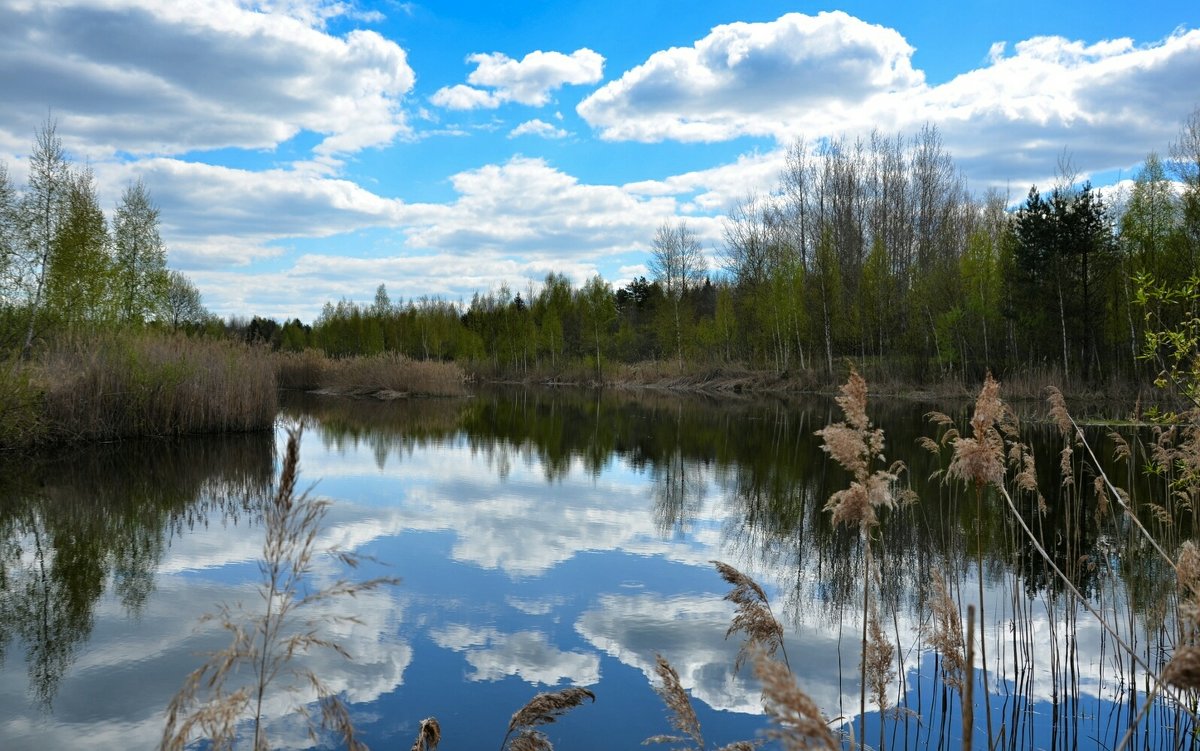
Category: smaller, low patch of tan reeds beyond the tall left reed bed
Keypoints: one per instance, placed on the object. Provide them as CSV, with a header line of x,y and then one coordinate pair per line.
x,y
387,376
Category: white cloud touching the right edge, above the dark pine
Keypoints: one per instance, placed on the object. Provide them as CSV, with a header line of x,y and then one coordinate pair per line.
x,y
1108,104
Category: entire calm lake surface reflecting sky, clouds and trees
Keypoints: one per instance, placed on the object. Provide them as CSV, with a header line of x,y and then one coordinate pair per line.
x,y
553,538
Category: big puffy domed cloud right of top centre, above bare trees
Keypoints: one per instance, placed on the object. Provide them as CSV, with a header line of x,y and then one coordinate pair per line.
x,y
754,80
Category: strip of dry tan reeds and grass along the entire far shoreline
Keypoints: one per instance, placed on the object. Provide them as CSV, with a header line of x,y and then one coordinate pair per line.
x,y
148,383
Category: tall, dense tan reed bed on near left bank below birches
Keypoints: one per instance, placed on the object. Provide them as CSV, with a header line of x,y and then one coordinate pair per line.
x,y
118,386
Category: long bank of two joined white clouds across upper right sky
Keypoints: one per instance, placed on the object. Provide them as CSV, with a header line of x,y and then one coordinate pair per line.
x,y
835,75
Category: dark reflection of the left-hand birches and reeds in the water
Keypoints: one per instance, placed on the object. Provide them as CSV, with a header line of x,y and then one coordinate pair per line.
x,y
100,519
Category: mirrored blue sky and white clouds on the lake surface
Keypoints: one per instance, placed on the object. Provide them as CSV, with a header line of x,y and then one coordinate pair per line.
x,y
512,586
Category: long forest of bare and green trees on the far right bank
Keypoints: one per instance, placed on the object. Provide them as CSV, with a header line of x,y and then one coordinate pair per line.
x,y
873,250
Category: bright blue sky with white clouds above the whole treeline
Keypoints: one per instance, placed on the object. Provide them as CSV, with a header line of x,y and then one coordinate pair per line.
x,y
308,151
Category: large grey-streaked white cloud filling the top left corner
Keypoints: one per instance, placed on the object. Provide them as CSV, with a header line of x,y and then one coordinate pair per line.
x,y
148,77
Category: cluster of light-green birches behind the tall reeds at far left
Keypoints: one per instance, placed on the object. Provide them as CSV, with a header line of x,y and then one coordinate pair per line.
x,y
65,267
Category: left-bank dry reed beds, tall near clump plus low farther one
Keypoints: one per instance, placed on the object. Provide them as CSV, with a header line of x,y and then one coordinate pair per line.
x,y
117,386
